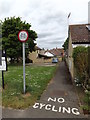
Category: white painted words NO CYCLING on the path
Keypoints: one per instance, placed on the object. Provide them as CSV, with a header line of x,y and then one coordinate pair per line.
x,y
57,109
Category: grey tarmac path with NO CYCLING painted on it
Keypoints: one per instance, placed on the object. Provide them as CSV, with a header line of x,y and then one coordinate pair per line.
x,y
59,96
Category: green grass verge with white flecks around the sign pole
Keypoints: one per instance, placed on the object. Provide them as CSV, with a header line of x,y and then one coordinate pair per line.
x,y
37,79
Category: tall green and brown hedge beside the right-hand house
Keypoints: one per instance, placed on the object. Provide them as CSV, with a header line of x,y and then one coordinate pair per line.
x,y
80,55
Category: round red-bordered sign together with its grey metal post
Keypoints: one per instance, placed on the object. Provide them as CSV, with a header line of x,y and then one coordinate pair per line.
x,y
23,37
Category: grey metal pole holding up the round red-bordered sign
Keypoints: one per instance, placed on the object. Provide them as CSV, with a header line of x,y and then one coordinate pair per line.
x,y
24,68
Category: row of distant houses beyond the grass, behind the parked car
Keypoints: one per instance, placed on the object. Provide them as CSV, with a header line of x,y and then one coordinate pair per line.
x,y
43,56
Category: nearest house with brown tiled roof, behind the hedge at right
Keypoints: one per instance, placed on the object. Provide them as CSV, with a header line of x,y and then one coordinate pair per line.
x,y
79,35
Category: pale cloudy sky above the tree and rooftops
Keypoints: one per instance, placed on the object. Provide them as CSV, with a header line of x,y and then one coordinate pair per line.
x,y
49,18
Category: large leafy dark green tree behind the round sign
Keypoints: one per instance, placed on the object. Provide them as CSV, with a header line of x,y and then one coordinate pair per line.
x,y
10,29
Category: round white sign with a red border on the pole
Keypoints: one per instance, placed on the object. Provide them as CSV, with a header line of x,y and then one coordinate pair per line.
x,y
23,36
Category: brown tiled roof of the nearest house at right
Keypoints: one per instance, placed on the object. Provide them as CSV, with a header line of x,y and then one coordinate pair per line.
x,y
80,34
